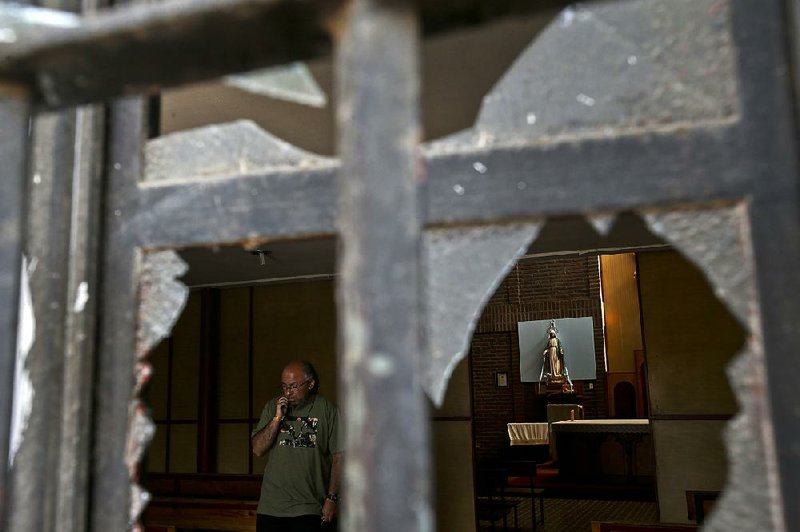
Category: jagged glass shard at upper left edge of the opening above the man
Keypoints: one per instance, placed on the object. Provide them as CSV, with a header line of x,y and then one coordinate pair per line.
x,y
162,298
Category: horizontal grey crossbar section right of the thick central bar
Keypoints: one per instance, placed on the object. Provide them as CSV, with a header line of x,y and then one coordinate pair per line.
x,y
593,174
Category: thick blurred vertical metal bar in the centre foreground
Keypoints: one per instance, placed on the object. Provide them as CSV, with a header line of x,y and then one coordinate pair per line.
x,y
387,472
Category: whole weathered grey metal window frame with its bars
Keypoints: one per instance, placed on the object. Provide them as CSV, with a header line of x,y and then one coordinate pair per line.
x,y
753,159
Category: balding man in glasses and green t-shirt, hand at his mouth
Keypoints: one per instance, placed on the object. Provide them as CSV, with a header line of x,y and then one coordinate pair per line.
x,y
299,428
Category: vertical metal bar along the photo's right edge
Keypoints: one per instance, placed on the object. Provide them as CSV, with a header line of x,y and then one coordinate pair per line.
x,y
771,133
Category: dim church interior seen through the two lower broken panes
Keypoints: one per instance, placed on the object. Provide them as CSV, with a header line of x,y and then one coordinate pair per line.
x,y
661,345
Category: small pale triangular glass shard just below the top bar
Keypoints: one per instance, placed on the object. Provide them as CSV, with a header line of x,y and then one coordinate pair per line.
x,y
292,82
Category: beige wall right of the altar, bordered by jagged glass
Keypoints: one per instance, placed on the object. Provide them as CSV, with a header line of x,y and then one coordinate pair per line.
x,y
690,338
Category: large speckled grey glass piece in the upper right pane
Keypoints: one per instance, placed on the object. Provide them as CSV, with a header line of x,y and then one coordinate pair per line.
x,y
607,68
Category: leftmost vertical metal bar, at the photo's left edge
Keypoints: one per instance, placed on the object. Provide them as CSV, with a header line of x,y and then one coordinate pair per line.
x,y
13,163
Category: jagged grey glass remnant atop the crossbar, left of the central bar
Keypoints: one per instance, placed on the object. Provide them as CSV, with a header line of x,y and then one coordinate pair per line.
x,y
237,147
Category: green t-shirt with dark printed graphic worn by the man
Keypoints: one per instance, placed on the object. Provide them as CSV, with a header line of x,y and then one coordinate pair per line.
x,y
299,463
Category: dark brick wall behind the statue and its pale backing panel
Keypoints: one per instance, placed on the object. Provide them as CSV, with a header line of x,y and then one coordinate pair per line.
x,y
536,289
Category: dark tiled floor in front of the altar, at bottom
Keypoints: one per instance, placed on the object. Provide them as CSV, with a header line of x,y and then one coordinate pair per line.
x,y
575,515
